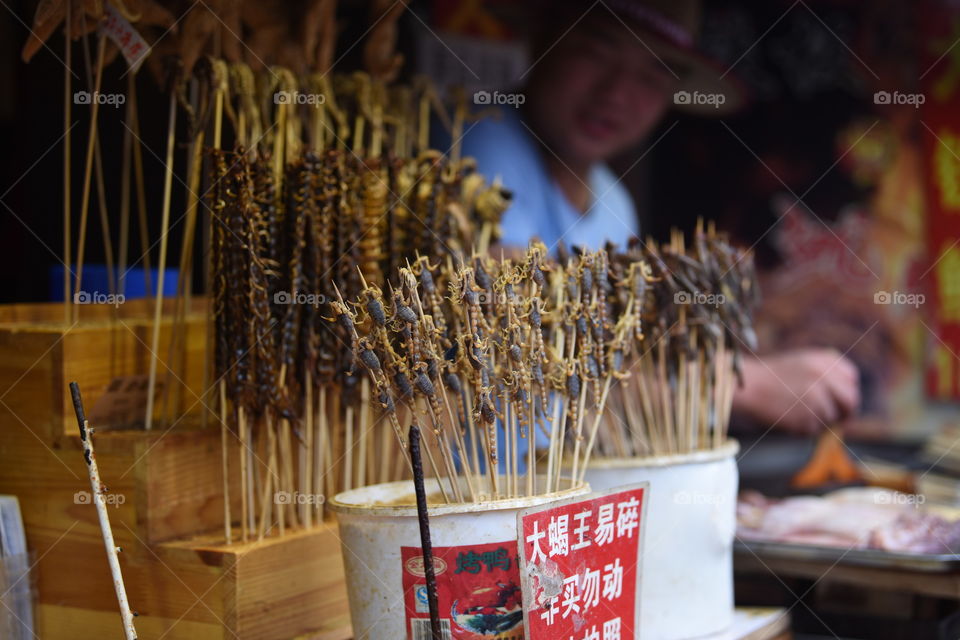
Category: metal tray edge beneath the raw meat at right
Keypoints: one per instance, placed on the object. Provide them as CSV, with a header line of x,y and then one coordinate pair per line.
x,y
929,563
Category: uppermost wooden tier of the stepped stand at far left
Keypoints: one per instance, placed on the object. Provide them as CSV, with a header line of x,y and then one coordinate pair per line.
x,y
40,354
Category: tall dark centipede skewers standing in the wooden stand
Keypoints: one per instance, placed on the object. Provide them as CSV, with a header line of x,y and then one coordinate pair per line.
x,y
301,224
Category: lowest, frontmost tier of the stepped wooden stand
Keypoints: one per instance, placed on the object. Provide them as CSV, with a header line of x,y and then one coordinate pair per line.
x,y
278,589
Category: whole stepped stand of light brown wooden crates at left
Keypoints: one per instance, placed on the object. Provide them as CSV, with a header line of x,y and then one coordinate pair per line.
x,y
167,511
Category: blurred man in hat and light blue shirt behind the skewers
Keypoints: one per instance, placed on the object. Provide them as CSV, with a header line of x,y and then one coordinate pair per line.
x,y
602,79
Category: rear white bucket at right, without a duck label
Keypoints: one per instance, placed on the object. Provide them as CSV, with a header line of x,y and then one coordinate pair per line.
x,y
686,589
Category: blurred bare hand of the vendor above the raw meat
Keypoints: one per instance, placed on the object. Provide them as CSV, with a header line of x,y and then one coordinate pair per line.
x,y
799,391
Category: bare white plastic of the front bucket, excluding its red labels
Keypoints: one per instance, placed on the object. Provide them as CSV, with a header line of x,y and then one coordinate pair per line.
x,y
376,521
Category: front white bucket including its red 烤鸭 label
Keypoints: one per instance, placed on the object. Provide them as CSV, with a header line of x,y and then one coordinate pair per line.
x,y
380,535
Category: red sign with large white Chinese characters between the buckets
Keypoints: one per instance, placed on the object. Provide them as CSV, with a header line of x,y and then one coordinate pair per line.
x,y
580,567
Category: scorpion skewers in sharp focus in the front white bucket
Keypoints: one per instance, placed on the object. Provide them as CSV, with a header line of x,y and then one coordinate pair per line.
x,y
484,354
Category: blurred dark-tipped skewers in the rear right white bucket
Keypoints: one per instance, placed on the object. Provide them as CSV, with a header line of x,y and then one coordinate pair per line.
x,y
698,305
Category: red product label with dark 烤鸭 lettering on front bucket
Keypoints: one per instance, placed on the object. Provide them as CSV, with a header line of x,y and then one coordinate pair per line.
x,y
478,592
